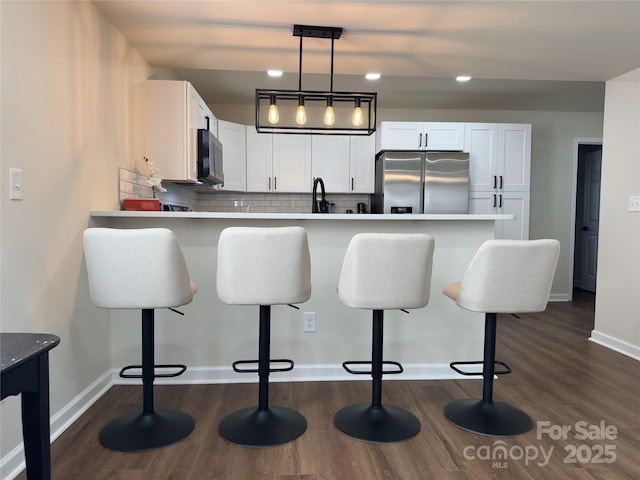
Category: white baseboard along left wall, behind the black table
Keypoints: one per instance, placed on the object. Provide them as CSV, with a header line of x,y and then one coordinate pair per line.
x,y
13,463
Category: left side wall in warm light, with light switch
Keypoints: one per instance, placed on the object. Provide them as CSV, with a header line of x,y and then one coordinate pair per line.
x,y
67,122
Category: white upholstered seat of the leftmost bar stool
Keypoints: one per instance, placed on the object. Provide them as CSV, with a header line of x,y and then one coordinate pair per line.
x,y
136,268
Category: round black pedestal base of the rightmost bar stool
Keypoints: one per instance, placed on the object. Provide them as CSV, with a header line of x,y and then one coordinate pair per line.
x,y
495,419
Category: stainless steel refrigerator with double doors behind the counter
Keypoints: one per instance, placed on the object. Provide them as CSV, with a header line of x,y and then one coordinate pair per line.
x,y
421,182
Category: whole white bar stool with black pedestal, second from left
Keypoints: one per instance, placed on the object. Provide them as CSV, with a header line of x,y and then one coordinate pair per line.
x,y
263,266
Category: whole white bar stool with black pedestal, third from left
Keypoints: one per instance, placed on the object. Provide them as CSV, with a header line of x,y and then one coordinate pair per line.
x,y
383,271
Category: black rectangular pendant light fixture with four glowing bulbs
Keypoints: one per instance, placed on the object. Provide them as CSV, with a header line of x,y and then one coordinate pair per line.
x,y
315,112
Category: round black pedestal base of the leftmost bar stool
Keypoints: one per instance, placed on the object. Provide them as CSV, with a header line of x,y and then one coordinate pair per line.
x,y
136,431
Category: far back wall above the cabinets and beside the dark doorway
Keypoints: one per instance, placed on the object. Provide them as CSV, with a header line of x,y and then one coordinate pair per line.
x,y
551,164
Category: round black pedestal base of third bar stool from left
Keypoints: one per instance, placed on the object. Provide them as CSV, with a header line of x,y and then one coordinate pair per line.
x,y
381,425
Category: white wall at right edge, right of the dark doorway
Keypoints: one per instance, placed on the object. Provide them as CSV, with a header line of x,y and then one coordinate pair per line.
x,y
617,322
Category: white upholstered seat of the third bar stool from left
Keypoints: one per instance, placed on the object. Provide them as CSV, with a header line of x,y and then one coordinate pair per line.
x,y
386,271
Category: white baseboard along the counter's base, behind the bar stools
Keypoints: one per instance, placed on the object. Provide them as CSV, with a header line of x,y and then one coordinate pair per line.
x,y
301,373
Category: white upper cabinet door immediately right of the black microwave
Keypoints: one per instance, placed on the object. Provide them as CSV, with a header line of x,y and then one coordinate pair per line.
x,y
233,139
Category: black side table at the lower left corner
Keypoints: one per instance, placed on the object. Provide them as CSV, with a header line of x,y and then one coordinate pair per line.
x,y
25,369
